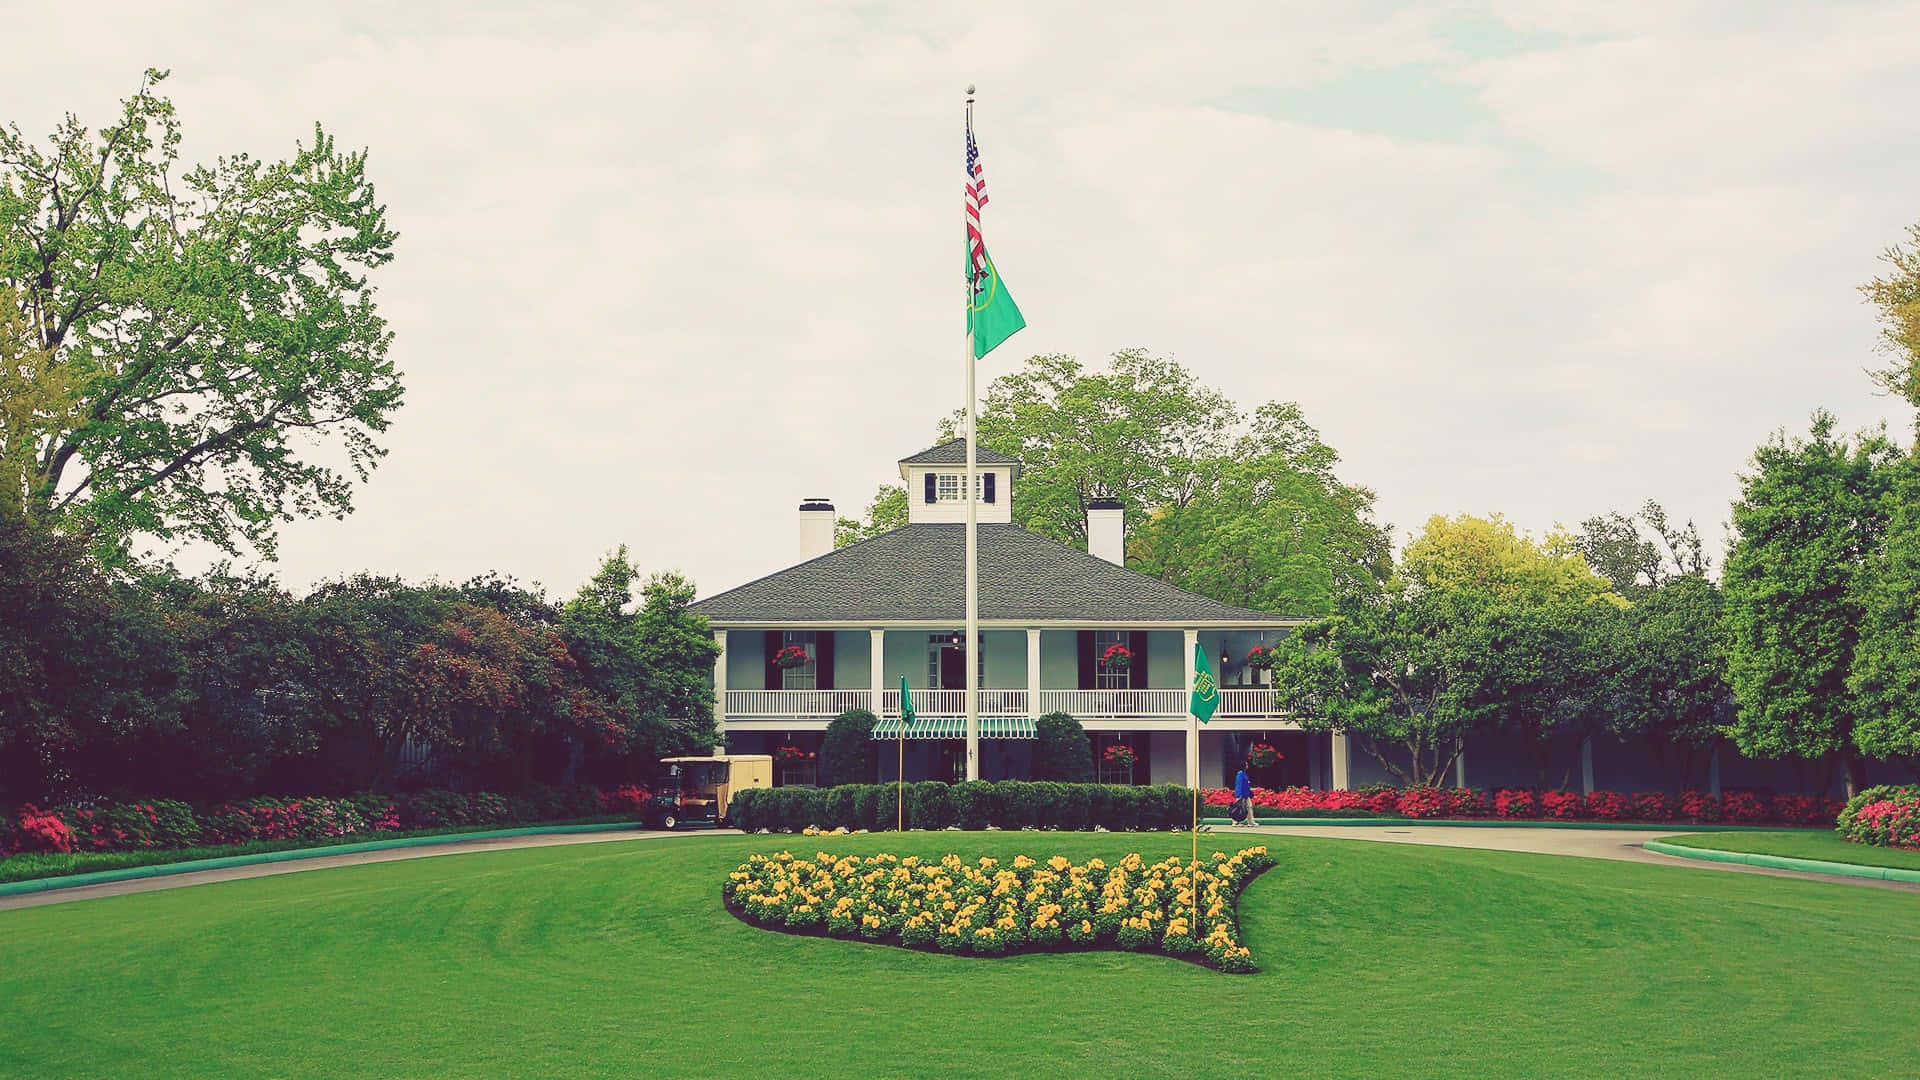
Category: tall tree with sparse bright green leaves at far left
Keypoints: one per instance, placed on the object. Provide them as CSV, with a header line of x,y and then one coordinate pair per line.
x,y
204,324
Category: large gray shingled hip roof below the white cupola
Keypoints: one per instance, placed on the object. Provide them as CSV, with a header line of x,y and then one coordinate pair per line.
x,y
917,574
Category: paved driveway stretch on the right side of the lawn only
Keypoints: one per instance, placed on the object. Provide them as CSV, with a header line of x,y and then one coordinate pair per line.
x,y
1621,845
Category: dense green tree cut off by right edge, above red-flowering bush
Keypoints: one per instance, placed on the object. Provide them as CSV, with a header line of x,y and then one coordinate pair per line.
x,y
1883,677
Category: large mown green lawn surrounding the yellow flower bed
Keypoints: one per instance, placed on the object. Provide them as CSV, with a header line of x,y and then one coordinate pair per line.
x,y
617,958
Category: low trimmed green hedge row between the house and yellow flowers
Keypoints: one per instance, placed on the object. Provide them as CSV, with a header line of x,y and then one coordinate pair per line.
x,y
976,804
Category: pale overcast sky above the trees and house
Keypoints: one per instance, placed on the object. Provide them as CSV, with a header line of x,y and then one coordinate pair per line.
x,y
667,270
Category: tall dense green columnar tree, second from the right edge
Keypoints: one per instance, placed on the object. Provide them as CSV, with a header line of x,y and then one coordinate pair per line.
x,y
1808,522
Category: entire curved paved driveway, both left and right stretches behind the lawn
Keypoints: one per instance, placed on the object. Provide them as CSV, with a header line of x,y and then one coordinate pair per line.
x,y
1621,845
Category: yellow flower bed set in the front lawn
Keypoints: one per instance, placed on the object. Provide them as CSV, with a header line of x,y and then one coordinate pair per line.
x,y
988,908
